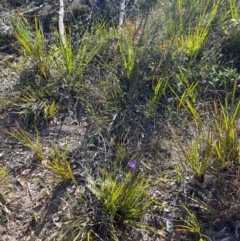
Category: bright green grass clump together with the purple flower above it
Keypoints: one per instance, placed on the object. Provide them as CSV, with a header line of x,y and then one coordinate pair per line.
x,y
123,196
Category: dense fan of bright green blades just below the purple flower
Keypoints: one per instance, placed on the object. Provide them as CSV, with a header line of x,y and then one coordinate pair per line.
x,y
124,198
